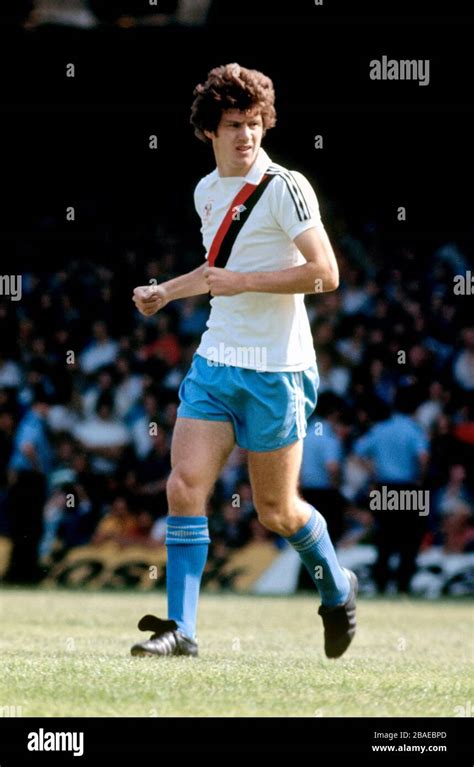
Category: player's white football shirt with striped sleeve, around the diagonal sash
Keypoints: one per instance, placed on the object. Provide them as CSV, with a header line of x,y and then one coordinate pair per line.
x,y
261,331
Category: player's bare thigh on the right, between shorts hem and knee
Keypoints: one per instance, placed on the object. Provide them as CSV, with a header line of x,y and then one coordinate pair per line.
x,y
274,475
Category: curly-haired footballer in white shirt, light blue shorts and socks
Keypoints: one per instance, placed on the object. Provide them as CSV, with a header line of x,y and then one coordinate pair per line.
x,y
266,247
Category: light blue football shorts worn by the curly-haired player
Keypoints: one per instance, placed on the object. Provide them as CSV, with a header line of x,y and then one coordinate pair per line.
x,y
267,410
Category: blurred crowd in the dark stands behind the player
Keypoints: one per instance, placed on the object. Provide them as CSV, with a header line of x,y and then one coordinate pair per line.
x,y
89,393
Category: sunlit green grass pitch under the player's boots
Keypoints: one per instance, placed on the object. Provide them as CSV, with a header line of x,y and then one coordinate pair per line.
x,y
66,653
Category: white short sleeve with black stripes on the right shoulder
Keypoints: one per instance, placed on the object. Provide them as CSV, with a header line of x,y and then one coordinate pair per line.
x,y
294,203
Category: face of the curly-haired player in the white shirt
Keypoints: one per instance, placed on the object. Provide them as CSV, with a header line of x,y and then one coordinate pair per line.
x,y
237,140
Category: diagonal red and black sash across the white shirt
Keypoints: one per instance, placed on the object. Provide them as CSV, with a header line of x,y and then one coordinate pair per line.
x,y
234,220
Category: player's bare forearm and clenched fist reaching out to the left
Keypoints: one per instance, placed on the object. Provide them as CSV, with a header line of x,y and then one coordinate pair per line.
x,y
150,298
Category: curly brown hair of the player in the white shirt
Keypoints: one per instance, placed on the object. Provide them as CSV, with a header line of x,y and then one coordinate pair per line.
x,y
231,87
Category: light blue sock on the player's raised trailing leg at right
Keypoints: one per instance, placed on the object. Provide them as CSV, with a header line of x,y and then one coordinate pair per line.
x,y
314,546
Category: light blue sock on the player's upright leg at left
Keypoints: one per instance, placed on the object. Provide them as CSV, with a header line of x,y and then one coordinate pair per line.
x,y
187,542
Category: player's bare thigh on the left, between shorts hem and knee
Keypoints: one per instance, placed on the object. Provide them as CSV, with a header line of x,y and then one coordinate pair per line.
x,y
200,448
